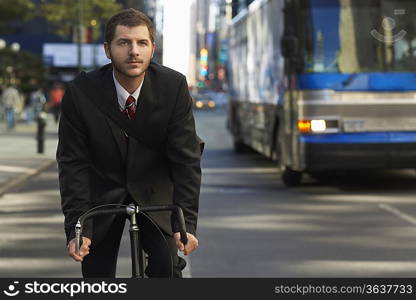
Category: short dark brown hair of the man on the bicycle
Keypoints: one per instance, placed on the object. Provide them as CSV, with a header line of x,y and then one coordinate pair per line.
x,y
128,17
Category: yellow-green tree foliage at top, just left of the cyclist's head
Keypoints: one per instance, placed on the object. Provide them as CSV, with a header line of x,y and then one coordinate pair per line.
x,y
62,15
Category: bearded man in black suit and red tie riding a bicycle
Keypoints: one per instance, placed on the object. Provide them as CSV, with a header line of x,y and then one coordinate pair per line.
x,y
100,163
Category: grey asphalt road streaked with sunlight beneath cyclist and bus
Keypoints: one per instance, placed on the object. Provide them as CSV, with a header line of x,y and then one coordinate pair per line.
x,y
361,224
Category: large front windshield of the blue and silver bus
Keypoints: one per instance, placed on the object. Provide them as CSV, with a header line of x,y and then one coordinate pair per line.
x,y
356,36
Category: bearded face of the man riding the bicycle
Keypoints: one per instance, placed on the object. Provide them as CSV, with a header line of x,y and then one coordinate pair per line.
x,y
130,50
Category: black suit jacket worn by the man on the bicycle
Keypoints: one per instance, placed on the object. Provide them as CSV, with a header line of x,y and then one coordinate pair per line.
x,y
97,165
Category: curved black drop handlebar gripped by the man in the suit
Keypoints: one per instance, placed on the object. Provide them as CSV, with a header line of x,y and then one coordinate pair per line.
x,y
129,210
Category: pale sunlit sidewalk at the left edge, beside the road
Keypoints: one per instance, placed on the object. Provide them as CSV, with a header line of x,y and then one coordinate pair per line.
x,y
19,159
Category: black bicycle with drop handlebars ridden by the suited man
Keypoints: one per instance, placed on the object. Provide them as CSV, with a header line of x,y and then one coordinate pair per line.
x,y
132,210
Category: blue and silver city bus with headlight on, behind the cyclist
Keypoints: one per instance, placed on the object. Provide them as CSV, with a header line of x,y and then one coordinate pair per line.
x,y
323,85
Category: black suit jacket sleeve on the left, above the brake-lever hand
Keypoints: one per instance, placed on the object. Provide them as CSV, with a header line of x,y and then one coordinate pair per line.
x,y
73,166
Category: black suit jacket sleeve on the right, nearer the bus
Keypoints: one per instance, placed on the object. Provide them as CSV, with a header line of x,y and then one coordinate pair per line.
x,y
184,154
